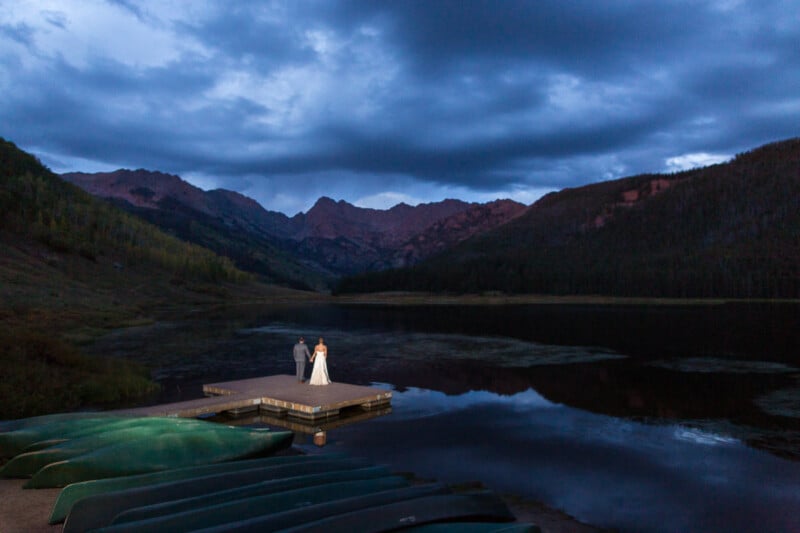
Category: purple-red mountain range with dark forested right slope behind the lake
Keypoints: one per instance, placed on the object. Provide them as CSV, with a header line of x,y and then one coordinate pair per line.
x,y
727,230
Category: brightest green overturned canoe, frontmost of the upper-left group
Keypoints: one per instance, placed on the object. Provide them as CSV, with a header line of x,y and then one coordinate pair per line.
x,y
172,450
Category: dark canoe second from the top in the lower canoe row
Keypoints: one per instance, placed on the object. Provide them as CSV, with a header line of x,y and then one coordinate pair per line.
x,y
99,510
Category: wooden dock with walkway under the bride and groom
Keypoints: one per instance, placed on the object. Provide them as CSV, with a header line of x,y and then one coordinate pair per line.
x,y
279,395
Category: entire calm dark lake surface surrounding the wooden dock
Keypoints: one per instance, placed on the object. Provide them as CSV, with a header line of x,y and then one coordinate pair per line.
x,y
636,418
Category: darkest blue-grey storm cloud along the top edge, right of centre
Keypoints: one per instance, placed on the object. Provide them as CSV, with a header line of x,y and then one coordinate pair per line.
x,y
597,38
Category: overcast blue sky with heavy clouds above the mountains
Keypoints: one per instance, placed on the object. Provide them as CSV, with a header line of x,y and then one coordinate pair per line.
x,y
378,102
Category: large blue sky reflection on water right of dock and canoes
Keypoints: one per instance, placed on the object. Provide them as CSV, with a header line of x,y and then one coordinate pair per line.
x,y
604,470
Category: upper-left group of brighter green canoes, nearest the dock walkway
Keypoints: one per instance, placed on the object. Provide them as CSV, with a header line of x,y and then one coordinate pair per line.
x,y
55,452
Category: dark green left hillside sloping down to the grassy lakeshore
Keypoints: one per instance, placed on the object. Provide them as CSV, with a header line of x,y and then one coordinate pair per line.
x,y
71,268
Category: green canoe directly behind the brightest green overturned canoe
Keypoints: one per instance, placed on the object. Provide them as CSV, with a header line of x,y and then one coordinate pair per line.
x,y
27,464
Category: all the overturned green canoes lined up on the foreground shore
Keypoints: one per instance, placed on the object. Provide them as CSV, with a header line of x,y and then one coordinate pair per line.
x,y
154,474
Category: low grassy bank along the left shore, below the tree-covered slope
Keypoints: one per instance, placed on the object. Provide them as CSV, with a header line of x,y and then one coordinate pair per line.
x,y
52,305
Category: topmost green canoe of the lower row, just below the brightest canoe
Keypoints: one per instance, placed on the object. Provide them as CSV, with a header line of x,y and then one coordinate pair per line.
x,y
77,491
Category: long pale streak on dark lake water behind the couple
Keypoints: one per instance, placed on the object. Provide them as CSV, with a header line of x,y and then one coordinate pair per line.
x,y
500,351
